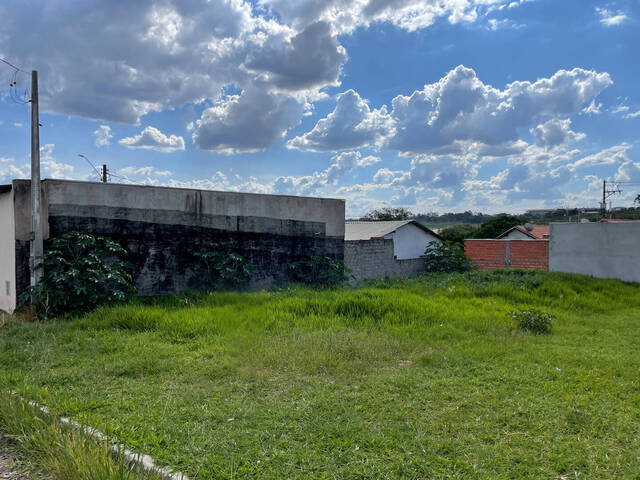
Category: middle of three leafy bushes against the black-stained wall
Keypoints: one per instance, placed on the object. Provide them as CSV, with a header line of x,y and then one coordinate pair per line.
x,y
222,270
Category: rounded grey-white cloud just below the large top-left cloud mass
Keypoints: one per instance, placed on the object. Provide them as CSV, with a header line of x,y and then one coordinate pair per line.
x,y
249,122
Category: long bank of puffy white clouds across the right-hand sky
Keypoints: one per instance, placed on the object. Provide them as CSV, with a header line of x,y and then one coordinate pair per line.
x,y
457,114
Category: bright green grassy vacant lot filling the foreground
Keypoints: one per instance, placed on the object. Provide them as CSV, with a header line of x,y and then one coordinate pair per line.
x,y
423,378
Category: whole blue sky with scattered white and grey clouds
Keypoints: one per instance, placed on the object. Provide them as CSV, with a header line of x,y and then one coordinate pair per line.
x,y
431,105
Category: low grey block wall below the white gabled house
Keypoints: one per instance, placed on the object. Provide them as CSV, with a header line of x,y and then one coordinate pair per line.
x,y
375,259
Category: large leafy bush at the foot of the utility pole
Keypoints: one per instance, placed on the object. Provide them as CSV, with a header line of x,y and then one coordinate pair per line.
x,y
80,273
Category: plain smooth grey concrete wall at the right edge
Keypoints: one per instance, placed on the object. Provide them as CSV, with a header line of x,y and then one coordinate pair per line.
x,y
604,250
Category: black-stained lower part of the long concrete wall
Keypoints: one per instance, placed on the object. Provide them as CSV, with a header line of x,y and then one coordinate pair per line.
x,y
162,253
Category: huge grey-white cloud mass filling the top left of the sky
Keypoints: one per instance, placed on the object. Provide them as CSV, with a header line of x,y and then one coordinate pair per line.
x,y
120,62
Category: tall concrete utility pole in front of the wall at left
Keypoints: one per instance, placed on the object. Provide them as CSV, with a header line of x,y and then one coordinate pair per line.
x,y
37,249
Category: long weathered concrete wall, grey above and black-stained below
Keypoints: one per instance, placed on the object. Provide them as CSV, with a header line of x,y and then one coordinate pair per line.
x,y
161,228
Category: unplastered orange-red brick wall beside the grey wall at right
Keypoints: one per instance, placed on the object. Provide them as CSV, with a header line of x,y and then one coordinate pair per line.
x,y
496,254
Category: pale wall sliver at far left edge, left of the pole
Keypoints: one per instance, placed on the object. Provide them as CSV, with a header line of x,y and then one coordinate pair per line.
x,y
7,253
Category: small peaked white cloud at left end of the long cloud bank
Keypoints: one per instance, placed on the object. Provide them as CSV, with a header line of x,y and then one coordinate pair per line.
x,y
351,124
